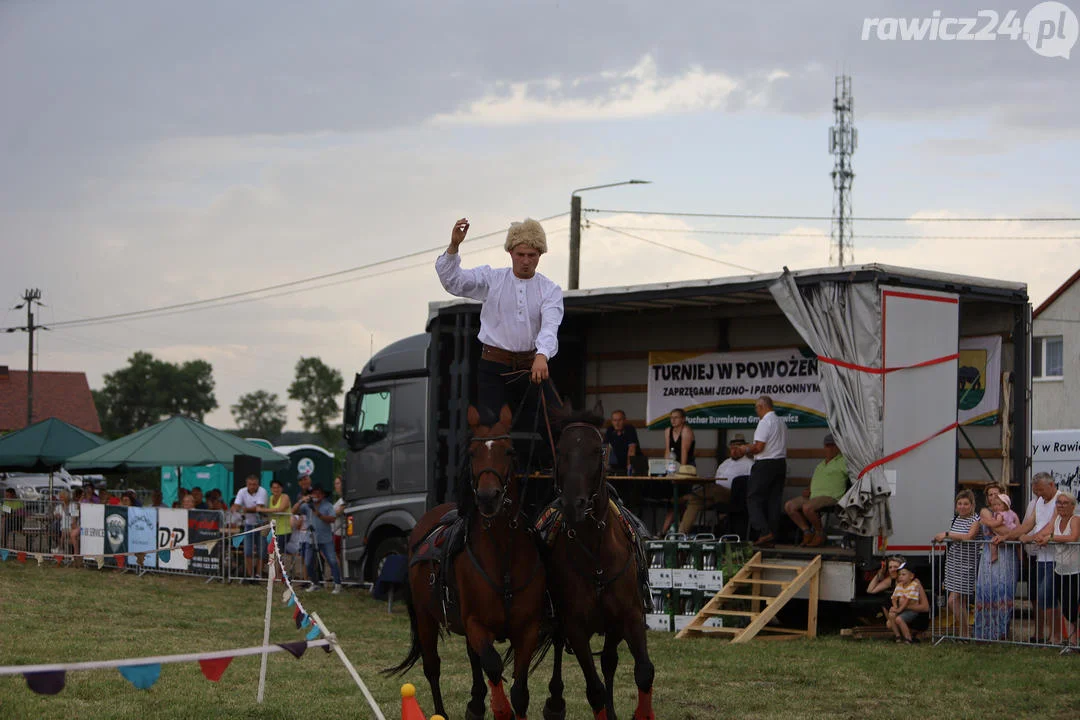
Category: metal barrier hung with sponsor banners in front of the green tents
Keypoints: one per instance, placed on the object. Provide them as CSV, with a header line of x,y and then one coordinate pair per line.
x,y
161,540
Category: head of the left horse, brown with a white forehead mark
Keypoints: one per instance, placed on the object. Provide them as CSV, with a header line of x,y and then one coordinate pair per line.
x,y
492,463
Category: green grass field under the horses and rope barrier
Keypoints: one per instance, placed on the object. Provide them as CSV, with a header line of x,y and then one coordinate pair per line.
x,y
52,615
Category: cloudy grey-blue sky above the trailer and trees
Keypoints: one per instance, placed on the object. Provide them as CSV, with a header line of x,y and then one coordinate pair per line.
x,y
157,154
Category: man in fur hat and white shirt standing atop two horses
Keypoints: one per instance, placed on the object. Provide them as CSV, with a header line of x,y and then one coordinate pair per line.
x,y
519,322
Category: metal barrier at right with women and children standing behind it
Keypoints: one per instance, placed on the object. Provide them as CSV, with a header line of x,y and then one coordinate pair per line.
x,y
1012,593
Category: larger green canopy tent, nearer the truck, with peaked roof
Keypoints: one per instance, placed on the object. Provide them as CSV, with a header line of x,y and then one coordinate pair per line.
x,y
175,442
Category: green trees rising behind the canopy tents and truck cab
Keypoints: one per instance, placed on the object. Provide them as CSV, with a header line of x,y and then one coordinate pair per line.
x,y
150,390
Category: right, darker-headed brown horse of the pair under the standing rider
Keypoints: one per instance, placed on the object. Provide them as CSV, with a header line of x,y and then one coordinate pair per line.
x,y
593,570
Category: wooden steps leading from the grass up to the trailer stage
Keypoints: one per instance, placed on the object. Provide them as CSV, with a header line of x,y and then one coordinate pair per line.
x,y
750,595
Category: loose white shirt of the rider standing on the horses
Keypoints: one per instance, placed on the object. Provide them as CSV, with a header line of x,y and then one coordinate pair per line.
x,y
518,316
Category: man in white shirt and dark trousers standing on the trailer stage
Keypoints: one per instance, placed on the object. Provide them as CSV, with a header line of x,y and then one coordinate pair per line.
x,y
766,491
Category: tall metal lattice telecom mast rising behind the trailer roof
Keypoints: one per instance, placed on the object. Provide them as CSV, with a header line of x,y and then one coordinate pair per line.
x,y
843,141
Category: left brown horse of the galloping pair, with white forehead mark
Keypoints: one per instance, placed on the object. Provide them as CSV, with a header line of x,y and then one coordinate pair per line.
x,y
499,581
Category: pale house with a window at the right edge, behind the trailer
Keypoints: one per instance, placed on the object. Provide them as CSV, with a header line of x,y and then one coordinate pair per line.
x,y
1056,359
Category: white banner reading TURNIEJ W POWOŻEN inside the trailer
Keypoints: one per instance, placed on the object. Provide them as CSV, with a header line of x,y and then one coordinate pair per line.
x,y
719,390
